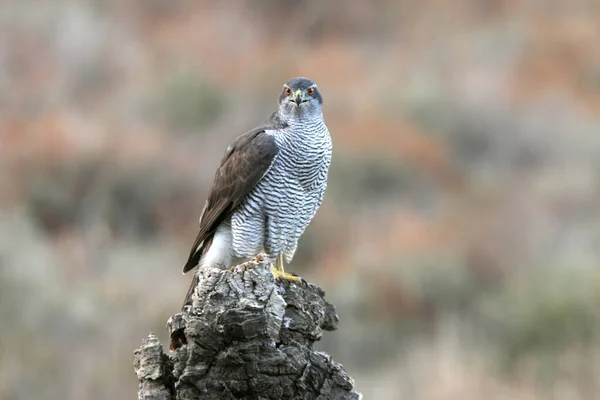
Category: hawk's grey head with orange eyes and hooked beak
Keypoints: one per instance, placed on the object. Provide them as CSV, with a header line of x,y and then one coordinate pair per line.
x,y
300,98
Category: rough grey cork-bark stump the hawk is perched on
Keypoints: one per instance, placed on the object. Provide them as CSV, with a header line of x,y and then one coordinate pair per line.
x,y
245,337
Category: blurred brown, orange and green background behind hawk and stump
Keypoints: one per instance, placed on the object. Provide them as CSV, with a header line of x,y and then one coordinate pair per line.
x,y
460,234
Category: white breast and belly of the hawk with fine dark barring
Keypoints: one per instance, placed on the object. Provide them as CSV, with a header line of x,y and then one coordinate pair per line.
x,y
283,203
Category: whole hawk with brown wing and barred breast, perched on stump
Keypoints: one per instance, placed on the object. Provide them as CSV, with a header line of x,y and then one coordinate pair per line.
x,y
267,188
